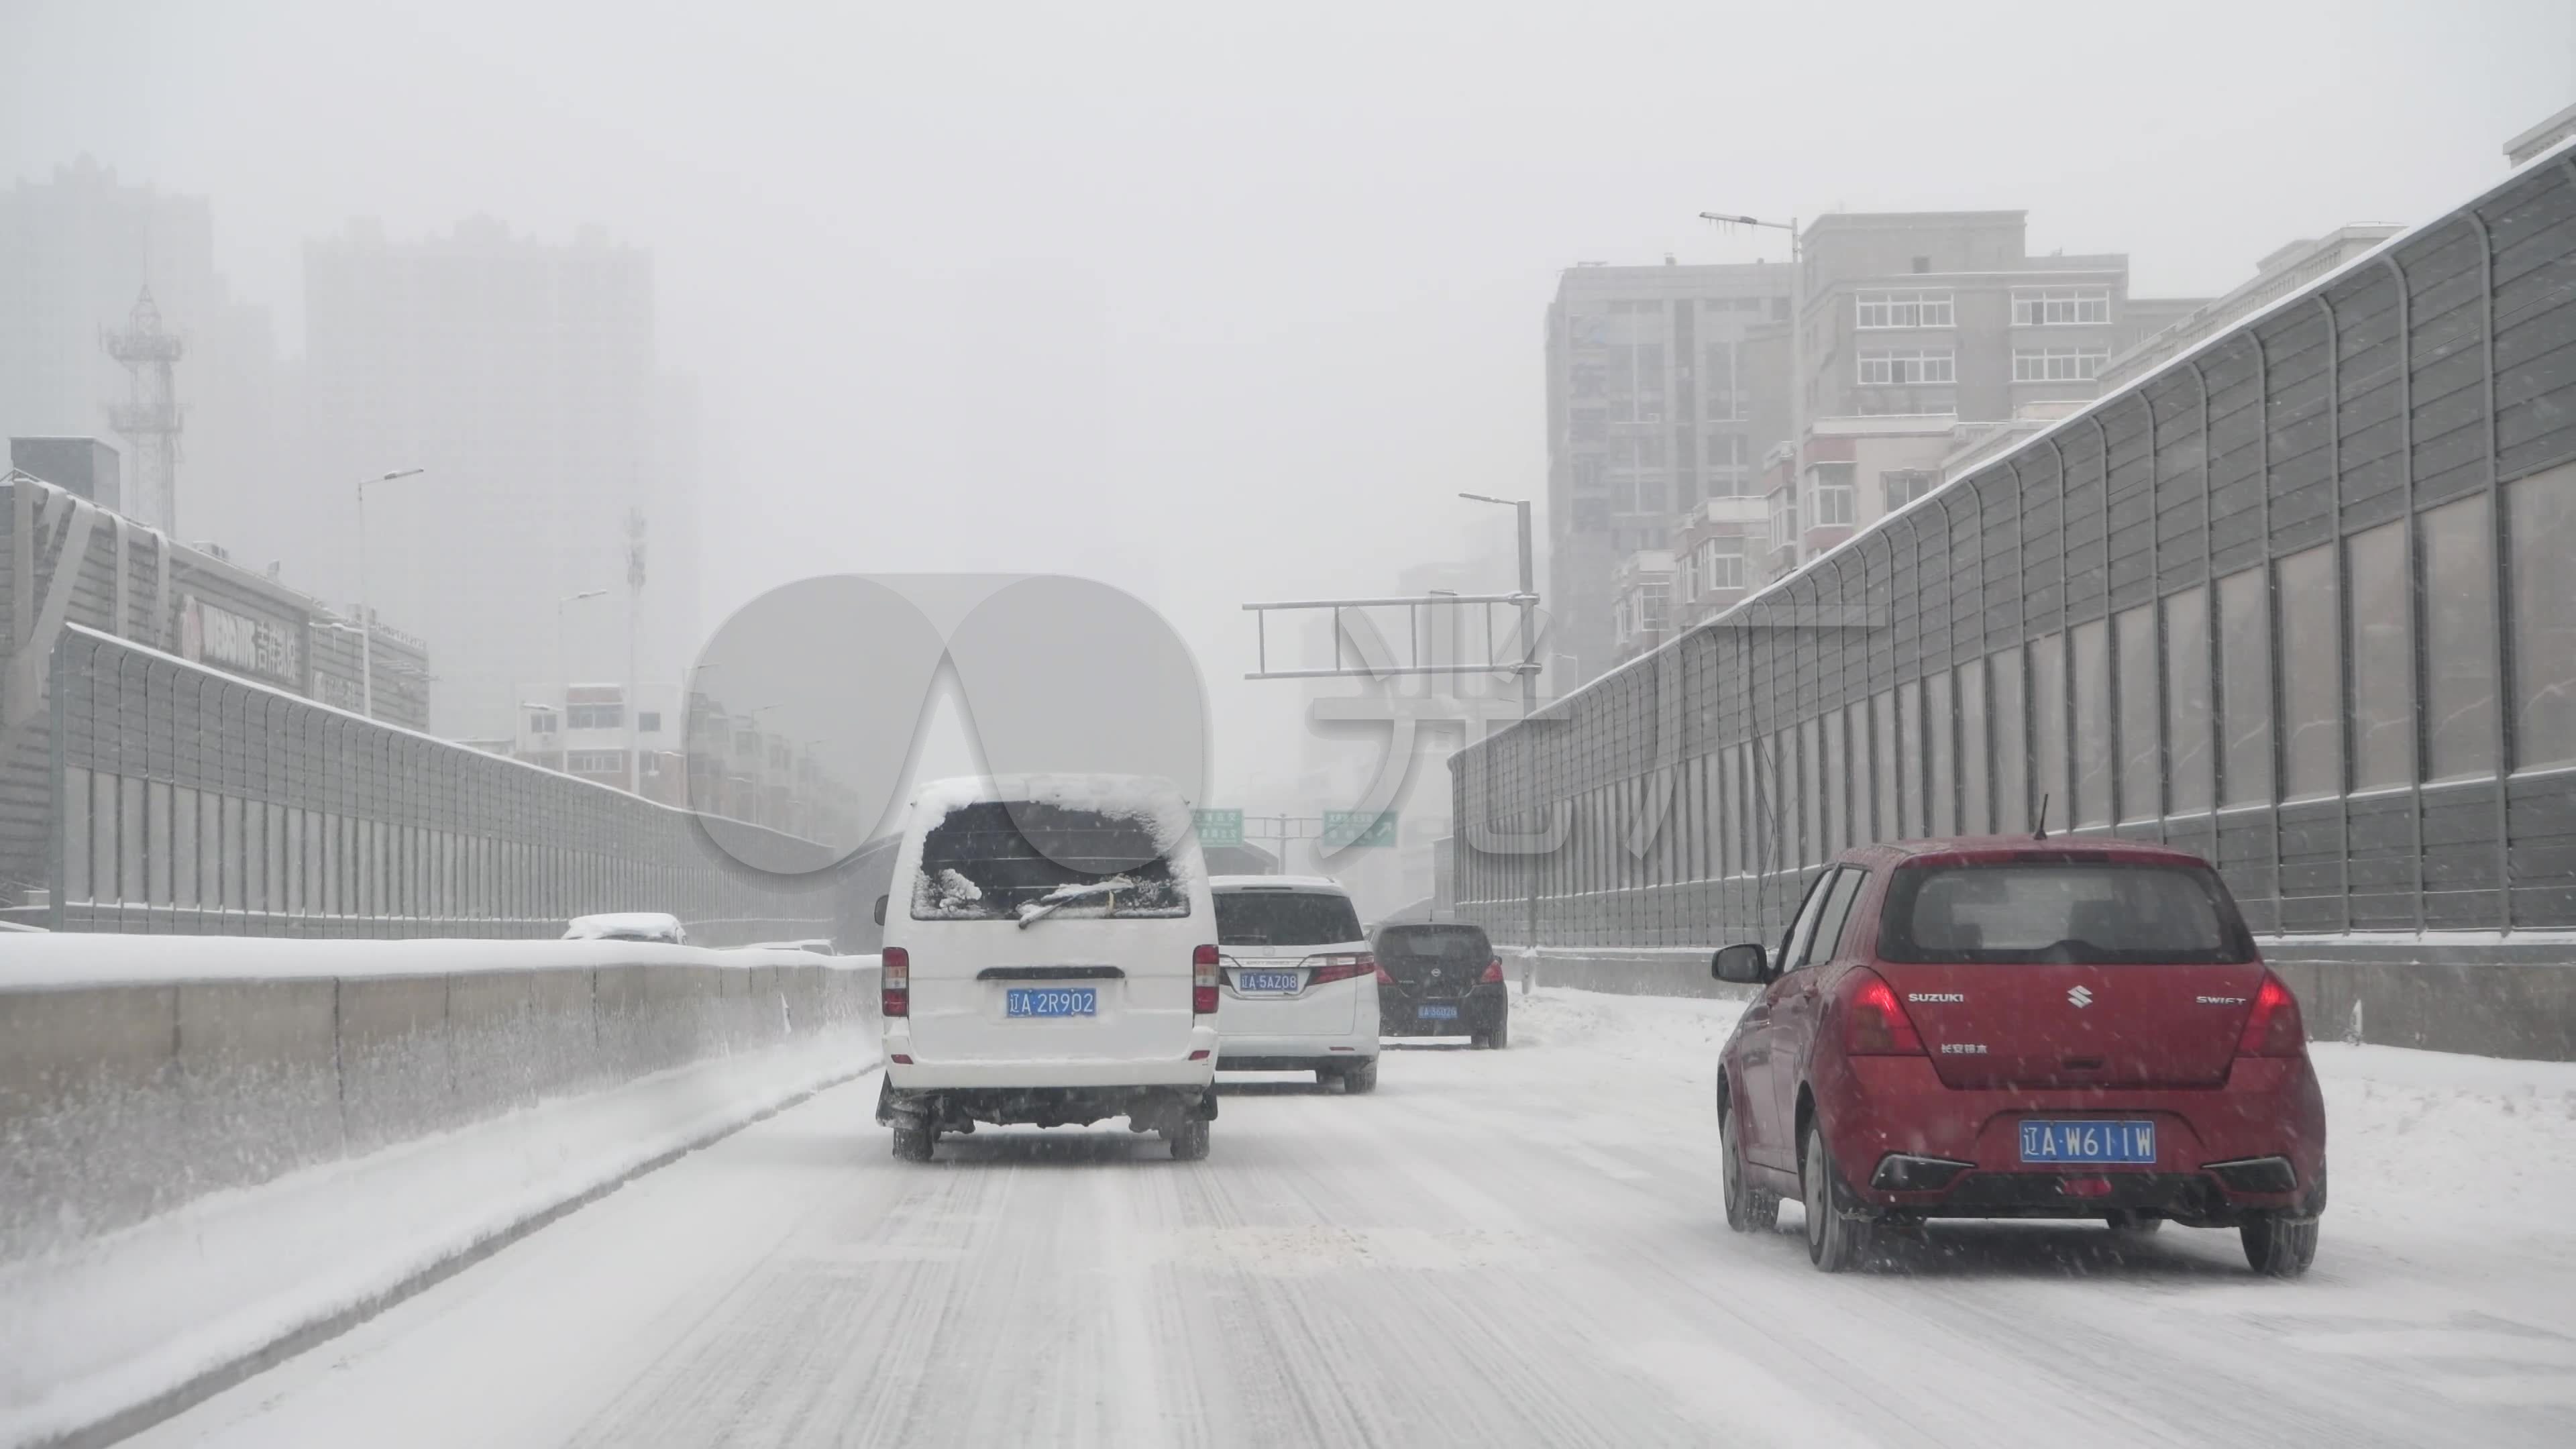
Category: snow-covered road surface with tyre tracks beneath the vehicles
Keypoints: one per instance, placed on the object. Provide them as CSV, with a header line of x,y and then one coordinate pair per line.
x,y
1495,1249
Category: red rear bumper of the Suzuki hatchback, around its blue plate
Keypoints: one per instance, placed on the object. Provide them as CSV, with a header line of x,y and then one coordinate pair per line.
x,y
1908,1143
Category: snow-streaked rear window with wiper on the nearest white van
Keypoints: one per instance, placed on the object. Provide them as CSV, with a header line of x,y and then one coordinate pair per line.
x,y
985,862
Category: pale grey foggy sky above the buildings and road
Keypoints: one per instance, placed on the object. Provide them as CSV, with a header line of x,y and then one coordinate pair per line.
x,y
1225,303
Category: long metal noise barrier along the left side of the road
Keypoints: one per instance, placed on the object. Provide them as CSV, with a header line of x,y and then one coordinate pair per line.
x,y
184,801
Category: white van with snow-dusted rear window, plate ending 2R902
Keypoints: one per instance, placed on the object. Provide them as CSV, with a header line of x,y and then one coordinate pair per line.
x,y
1052,960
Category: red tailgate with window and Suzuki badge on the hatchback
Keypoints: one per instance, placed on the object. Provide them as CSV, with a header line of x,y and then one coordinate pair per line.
x,y
2065,973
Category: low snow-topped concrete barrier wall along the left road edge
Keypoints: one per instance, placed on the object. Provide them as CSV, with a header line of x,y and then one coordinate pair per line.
x,y
133,1082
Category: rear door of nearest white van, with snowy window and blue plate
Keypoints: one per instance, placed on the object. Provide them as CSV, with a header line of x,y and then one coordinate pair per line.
x,y
1050,935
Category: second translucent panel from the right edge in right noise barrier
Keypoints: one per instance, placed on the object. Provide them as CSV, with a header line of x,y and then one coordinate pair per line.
x,y
2461,638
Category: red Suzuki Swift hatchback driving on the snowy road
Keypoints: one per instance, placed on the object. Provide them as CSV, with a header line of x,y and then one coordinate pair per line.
x,y
2018,1027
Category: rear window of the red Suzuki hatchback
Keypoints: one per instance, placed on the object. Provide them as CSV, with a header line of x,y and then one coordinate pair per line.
x,y
2065,914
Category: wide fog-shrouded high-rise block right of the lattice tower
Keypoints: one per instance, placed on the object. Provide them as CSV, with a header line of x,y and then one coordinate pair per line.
x,y
524,380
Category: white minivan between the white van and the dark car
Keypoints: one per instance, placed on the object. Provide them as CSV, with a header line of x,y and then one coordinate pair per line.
x,y
1302,984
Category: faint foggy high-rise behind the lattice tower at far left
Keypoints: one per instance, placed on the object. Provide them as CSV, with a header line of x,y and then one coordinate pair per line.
x,y
76,257
